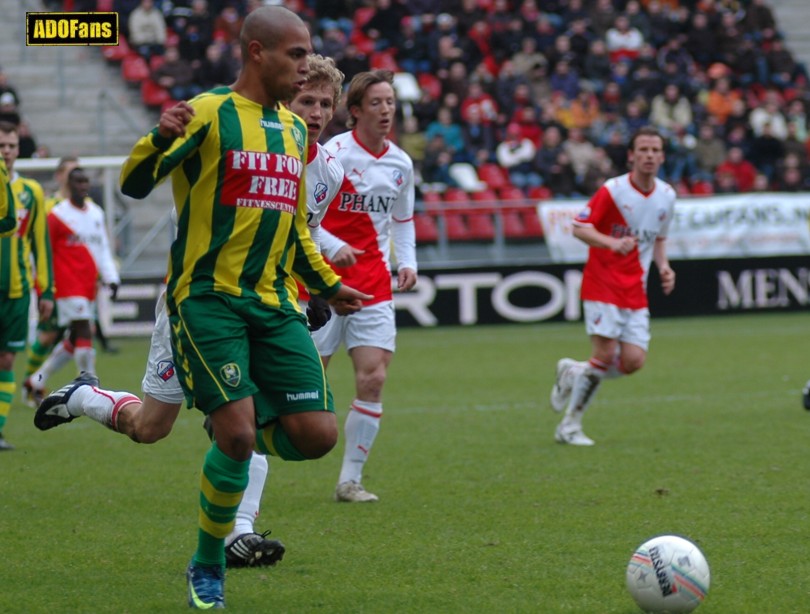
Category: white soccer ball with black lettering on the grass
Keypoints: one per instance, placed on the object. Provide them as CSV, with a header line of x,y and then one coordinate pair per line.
x,y
668,575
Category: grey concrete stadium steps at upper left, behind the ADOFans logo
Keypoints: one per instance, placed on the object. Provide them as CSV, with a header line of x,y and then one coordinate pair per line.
x,y
77,104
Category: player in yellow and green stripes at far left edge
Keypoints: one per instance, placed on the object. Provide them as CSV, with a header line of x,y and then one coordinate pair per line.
x,y
17,279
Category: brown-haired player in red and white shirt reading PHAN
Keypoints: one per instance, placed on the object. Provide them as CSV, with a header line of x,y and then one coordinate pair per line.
x,y
375,207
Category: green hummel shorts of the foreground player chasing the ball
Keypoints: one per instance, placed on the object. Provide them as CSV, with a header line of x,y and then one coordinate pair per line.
x,y
228,348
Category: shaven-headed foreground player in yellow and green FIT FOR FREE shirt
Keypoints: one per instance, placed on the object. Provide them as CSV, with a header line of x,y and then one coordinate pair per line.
x,y
236,157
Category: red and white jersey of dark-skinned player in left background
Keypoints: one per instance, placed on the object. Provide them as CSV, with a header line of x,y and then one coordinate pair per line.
x,y
81,250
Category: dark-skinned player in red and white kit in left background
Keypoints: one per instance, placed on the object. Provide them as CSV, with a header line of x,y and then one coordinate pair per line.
x,y
81,256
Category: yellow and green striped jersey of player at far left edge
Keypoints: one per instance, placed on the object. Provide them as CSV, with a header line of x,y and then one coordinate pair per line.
x,y
16,274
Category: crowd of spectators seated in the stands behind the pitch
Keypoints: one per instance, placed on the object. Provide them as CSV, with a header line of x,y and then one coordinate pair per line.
x,y
548,90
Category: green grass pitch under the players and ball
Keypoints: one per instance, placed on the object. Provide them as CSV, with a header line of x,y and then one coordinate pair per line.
x,y
480,510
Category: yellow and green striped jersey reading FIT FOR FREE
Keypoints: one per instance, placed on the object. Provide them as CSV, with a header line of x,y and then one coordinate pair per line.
x,y
238,186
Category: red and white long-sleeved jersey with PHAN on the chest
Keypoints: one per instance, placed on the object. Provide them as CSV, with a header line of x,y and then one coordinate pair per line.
x,y
374,207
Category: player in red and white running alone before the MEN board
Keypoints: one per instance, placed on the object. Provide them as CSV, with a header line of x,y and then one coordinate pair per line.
x,y
625,224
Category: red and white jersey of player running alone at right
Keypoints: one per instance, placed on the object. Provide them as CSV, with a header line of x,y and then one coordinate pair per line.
x,y
619,209
